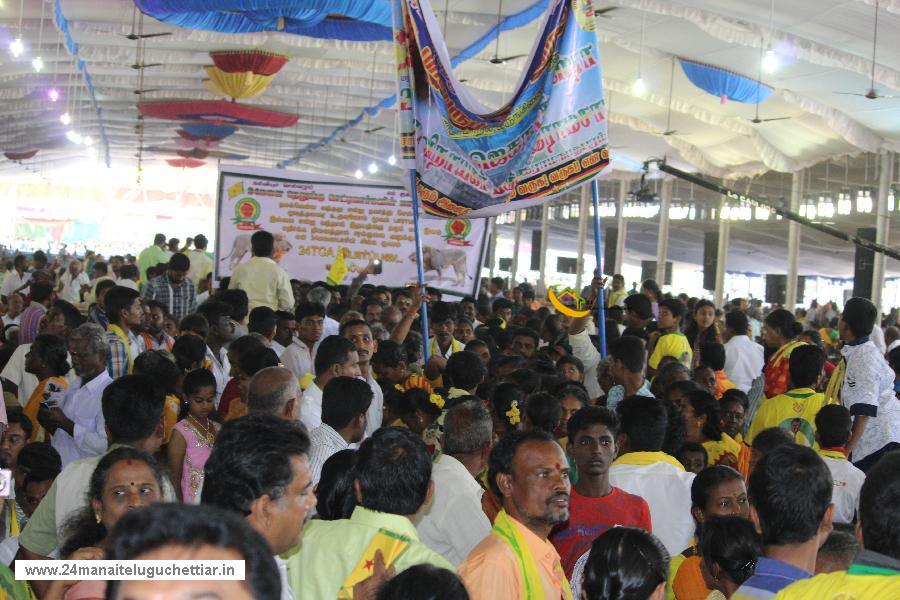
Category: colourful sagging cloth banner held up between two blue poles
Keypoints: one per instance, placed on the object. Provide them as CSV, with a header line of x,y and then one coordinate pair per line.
x,y
549,138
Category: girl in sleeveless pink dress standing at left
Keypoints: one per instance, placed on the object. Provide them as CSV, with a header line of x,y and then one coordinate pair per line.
x,y
193,437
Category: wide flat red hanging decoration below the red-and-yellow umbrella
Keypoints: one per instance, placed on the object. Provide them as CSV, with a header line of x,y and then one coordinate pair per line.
x,y
218,112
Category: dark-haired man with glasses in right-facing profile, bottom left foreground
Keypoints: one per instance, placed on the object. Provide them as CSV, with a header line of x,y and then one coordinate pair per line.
x,y
245,474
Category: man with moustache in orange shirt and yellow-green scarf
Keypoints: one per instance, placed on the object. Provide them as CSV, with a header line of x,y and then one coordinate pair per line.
x,y
529,473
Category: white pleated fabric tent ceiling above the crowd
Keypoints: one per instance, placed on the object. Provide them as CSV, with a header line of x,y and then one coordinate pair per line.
x,y
826,47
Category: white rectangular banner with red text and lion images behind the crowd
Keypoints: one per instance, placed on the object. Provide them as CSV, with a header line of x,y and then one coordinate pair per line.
x,y
313,218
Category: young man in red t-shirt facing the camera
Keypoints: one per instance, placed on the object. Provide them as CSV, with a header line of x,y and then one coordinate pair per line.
x,y
595,505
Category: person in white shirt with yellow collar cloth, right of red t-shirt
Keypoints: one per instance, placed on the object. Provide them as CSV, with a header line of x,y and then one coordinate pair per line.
x,y
644,470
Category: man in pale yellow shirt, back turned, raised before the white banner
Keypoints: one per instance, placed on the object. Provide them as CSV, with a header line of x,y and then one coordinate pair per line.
x,y
265,282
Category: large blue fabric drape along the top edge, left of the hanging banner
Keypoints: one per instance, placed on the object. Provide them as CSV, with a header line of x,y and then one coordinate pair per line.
x,y
356,20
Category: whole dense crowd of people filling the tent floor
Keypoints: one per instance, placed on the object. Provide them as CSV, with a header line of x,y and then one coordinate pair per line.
x,y
696,452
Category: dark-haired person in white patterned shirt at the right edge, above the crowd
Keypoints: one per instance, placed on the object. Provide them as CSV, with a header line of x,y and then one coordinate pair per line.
x,y
868,387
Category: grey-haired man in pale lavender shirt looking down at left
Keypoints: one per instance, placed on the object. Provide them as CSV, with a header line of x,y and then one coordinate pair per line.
x,y
77,424
